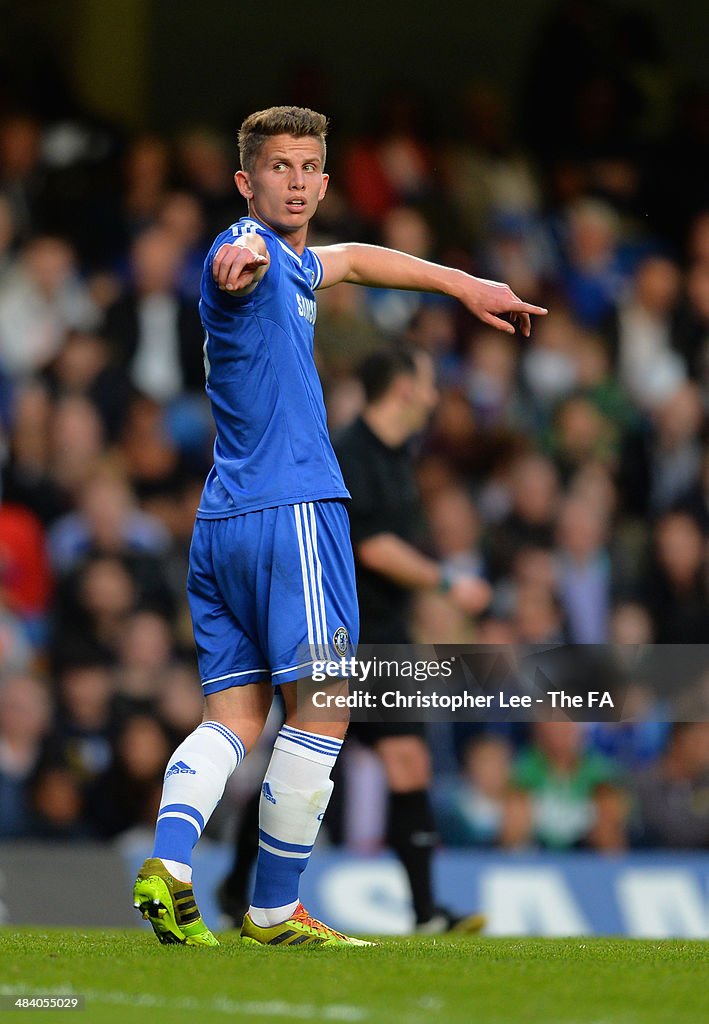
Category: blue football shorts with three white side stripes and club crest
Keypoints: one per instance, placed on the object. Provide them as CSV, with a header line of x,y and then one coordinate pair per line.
x,y
271,592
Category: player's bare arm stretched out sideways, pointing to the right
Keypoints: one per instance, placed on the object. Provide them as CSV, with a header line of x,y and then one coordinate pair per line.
x,y
376,267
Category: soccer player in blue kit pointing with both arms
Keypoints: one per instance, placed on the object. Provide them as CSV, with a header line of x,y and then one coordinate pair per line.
x,y
271,567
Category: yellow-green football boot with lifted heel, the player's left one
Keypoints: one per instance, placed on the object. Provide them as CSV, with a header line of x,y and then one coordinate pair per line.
x,y
171,907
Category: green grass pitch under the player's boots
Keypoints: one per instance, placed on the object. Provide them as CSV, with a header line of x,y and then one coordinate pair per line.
x,y
128,977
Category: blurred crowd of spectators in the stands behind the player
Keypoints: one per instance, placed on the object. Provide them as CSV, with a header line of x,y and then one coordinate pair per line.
x,y
572,470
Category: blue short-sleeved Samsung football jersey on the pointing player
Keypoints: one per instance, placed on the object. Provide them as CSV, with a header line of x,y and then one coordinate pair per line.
x,y
273,446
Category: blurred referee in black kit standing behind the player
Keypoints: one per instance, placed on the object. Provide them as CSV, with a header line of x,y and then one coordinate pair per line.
x,y
386,519
